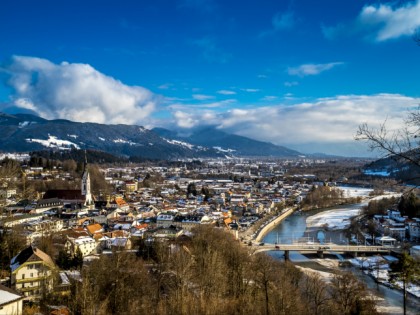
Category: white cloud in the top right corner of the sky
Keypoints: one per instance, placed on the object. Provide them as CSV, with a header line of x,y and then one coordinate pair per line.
x,y
387,21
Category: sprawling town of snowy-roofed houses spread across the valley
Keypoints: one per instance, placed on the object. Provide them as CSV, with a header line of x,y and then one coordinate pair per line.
x,y
59,217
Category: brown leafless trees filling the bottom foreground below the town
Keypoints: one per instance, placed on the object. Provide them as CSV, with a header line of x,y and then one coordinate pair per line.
x,y
206,273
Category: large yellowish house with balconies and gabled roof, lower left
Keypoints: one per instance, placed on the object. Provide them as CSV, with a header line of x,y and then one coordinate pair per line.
x,y
32,272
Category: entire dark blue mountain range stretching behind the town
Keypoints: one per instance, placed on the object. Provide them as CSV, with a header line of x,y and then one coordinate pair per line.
x,y
26,132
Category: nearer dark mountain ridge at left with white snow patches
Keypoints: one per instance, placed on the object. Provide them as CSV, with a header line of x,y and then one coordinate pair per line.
x,y
24,133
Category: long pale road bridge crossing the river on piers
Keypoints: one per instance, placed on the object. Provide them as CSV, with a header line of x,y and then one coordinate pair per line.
x,y
320,249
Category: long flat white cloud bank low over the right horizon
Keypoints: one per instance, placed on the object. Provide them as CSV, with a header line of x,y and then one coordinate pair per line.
x,y
328,124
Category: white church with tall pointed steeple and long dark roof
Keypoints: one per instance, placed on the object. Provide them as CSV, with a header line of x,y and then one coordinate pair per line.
x,y
76,198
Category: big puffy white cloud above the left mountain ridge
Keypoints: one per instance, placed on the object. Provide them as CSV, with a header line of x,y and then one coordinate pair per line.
x,y
77,92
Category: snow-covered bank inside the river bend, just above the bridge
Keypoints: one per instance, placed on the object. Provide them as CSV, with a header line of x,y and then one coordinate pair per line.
x,y
338,219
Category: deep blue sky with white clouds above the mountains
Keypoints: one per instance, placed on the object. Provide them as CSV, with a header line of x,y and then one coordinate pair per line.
x,y
298,73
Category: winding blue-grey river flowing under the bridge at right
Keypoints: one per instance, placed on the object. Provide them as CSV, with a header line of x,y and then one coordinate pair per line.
x,y
294,228
